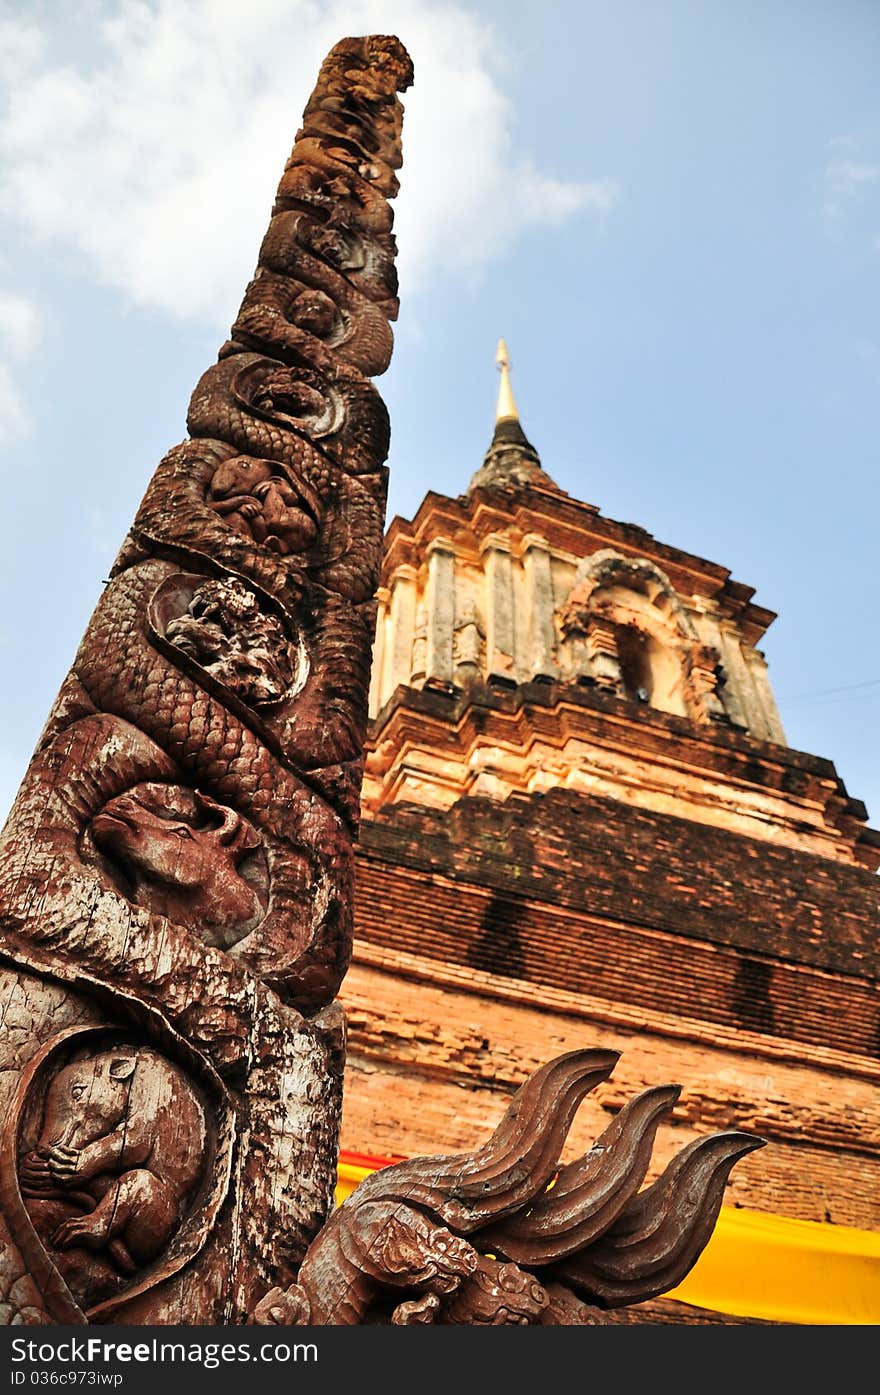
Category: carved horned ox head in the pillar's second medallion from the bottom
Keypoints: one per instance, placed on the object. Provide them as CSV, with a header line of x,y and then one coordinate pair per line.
x,y
182,854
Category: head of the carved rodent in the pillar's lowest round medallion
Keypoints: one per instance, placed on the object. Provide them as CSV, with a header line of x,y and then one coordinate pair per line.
x,y
87,1100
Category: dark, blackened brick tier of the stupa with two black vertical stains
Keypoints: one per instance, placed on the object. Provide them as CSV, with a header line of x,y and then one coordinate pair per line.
x,y
637,907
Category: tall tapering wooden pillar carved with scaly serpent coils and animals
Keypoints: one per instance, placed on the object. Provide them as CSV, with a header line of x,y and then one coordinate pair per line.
x,y
176,871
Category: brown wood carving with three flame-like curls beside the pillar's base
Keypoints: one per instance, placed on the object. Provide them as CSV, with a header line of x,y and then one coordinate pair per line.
x,y
507,1237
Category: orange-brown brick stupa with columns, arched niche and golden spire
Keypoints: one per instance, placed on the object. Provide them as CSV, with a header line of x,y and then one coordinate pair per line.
x,y
582,824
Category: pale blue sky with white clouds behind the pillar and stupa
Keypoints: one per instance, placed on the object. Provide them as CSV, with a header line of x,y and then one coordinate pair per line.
x,y
672,211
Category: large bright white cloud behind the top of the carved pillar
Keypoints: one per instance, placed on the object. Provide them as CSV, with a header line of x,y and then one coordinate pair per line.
x,y
160,163
